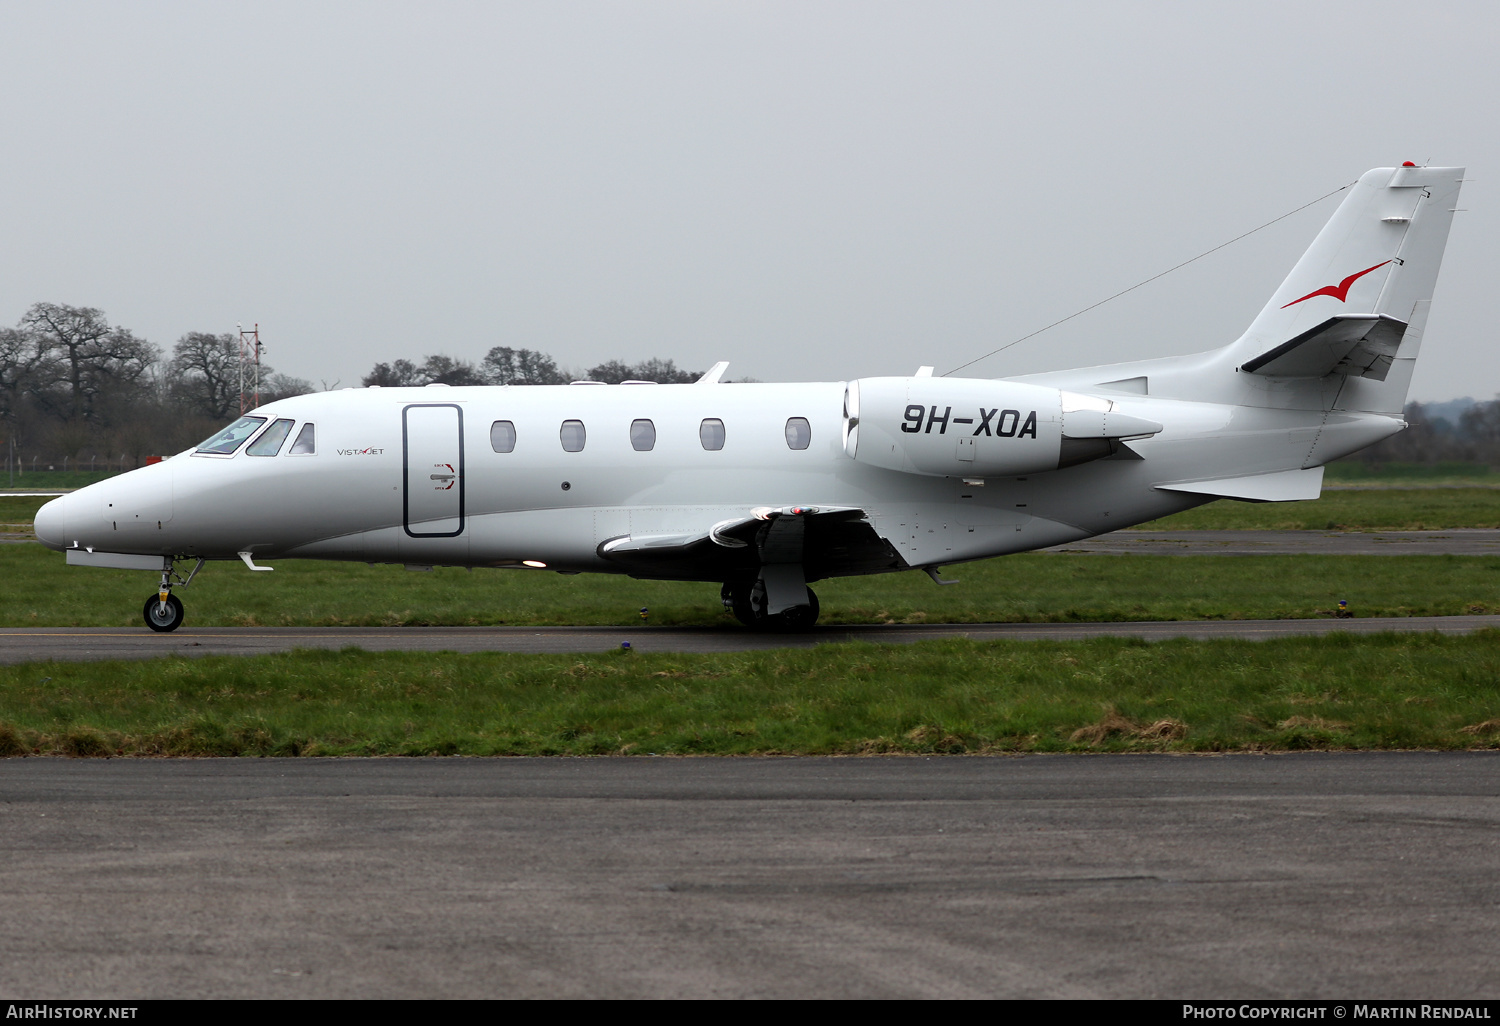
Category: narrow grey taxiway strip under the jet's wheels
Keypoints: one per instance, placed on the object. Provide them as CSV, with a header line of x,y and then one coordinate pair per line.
x,y
76,644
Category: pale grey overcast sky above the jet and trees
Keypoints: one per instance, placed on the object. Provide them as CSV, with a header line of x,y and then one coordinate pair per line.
x,y
812,191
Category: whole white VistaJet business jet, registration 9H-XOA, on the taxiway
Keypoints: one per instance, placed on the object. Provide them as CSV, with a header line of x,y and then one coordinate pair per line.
x,y
764,488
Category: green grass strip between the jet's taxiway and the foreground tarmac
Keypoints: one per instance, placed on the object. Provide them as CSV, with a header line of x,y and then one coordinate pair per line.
x,y
955,697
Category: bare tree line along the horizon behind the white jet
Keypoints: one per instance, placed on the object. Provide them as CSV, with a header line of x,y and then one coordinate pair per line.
x,y
76,388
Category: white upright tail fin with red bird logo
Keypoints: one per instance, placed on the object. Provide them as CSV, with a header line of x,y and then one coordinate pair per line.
x,y
1357,302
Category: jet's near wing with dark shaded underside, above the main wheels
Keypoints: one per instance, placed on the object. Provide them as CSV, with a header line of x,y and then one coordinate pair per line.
x,y
826,541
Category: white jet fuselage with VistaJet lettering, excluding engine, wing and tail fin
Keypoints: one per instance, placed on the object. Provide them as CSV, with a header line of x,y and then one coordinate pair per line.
x,y
415,476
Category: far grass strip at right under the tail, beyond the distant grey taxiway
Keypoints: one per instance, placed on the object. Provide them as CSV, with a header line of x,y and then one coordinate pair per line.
x,y
1417,509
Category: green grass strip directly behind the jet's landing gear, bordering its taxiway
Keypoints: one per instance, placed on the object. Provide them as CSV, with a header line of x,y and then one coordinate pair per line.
x,y
1025,589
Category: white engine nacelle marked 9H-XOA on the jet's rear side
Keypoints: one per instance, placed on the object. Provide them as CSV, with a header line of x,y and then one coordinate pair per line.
x,y
980,428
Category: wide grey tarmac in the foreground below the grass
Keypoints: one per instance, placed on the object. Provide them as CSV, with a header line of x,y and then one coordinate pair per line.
x,y
1043,877
